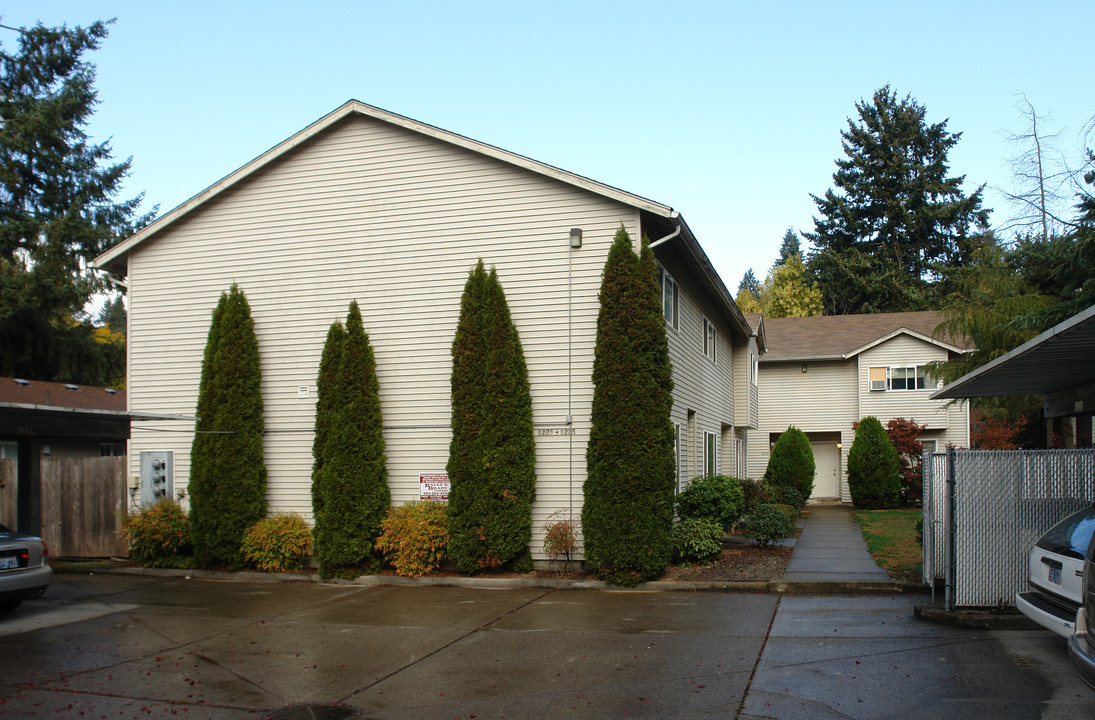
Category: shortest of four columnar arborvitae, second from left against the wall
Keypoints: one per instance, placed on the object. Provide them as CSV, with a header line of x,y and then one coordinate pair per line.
x,y
351,480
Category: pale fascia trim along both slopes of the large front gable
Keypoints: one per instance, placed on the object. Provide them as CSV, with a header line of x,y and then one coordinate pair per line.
x,y
353,108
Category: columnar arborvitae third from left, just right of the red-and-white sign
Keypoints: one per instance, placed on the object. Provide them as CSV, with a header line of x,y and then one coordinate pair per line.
x,y
492,456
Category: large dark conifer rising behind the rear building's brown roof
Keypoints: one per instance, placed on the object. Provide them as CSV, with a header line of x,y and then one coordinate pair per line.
x,y
898,220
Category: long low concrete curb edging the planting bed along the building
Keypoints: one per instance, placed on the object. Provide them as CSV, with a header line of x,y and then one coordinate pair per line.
x,y
775,587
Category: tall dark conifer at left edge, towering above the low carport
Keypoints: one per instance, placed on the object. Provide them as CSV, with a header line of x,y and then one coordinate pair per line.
x,y
59,207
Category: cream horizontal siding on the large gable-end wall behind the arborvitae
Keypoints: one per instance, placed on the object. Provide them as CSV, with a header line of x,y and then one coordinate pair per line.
x,y
395,220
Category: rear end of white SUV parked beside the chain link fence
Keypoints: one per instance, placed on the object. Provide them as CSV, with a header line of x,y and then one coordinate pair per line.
x,y
1057,568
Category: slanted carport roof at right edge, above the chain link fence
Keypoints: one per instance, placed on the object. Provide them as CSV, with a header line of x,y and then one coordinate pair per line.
x,y
1058,359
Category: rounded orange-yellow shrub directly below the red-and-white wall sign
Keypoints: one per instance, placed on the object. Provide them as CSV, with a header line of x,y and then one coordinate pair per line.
x,y
414,537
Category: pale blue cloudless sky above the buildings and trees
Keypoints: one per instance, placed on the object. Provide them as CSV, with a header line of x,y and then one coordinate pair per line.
x,y
729,112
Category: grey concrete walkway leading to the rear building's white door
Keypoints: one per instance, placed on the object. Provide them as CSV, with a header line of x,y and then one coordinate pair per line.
x,y
832,550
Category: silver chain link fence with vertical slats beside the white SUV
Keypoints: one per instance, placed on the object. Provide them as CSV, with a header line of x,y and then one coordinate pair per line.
x,y
985,510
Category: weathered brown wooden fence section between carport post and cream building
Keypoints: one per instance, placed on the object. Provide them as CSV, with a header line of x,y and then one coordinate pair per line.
x,y
83,504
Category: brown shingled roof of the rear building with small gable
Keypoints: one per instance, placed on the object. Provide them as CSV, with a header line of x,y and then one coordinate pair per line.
x,y
839,338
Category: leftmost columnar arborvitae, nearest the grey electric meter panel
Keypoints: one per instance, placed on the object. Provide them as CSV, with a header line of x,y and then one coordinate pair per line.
x,y
228,474
